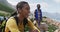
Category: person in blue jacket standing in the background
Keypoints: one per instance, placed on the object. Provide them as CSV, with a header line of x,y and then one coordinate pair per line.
x,y
38,15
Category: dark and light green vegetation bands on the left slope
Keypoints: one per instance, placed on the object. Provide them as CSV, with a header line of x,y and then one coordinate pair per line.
x,y
5,8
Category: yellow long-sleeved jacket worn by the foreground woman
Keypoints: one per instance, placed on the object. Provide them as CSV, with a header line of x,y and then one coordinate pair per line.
x,y
13,27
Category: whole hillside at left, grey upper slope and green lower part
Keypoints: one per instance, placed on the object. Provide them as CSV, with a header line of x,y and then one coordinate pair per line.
x,y
5,7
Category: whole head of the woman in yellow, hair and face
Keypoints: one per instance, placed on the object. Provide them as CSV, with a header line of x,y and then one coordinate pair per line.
x,y
23,8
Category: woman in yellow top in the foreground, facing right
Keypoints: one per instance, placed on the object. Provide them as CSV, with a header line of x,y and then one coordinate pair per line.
x,y
23,10
